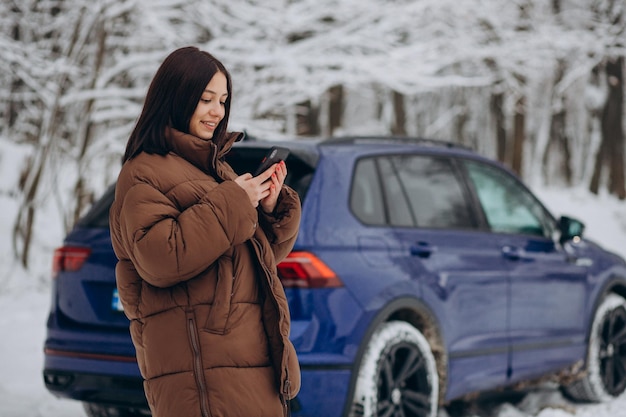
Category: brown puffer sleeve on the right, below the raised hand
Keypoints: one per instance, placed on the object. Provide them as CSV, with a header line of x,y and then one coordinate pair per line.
x,y
281,226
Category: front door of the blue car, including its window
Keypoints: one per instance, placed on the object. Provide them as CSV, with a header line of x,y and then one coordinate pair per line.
x,y
548,287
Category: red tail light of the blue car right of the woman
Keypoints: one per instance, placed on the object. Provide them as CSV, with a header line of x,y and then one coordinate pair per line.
x,y
305,270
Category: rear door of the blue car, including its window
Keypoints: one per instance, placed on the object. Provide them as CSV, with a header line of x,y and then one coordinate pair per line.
x,y
461,271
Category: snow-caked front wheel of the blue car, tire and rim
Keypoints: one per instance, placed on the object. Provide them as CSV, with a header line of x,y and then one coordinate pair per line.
x,y
606,359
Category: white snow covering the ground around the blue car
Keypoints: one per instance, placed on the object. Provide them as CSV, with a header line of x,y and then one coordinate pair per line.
x,y
23,312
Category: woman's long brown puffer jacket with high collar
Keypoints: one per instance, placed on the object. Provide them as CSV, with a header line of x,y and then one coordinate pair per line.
x,y
197,278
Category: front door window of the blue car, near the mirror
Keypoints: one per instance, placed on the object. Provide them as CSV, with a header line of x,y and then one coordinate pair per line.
x,y
508,206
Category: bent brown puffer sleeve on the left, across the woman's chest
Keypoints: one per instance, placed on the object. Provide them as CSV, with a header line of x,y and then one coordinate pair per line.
x,y
168,246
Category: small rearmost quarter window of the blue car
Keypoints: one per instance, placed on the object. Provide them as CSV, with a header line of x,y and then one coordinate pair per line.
x,y
366,200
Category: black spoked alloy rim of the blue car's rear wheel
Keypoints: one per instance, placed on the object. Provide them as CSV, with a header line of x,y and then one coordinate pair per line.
x,y
403,385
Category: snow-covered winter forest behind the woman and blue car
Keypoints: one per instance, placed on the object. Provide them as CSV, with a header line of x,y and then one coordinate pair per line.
x,y
537,84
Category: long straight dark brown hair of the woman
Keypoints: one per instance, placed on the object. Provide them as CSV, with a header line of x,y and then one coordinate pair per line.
x,y
172,98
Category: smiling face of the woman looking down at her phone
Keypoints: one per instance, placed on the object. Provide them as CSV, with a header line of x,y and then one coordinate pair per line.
x,y
210,109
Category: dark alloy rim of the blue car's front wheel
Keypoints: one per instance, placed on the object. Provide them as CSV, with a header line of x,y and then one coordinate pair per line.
x,y
612,353
